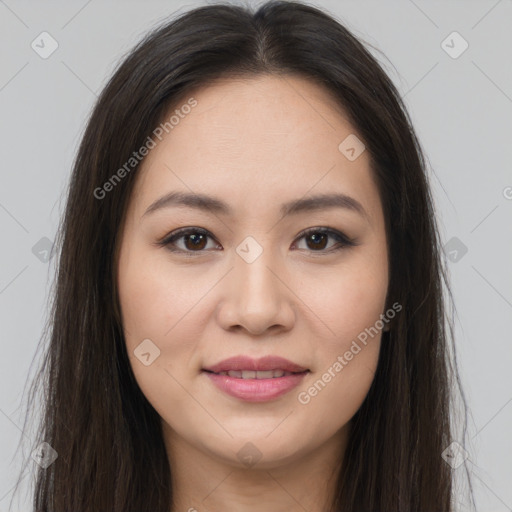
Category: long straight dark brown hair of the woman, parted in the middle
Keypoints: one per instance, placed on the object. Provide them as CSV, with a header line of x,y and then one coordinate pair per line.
x,y
108,437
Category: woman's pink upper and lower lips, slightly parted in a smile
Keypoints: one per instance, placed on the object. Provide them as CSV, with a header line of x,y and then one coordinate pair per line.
x,y
256,390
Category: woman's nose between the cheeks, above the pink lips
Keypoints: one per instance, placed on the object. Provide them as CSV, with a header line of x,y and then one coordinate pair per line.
x,y
257,298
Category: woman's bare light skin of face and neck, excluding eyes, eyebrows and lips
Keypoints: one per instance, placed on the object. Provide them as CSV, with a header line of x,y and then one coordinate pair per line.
x,y
254,143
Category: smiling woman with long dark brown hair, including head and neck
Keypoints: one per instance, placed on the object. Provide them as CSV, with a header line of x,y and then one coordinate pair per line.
x,y
248,312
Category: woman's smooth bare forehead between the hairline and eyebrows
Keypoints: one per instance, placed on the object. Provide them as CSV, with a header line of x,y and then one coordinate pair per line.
x,y
272,135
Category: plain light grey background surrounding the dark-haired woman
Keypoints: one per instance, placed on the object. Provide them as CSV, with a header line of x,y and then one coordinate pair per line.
x,y
461,108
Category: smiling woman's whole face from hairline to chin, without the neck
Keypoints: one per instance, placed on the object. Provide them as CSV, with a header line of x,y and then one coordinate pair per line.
x,y
263,270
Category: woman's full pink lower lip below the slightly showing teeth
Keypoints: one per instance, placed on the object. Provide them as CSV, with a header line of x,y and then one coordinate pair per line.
x,y
256,390
